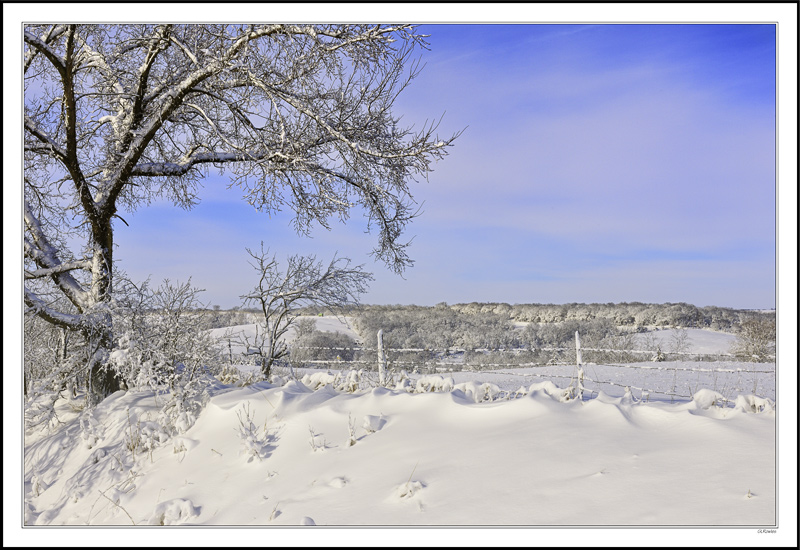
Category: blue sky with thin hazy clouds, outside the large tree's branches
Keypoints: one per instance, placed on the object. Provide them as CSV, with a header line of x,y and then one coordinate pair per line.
x,y
600,163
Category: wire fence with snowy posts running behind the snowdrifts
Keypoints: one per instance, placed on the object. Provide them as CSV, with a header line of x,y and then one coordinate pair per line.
x,y
646,374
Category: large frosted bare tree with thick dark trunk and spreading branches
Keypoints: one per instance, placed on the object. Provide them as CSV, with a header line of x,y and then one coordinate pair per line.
x,y
119,115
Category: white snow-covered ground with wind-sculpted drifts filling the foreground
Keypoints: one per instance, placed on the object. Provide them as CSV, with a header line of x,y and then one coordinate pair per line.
x,y
500,448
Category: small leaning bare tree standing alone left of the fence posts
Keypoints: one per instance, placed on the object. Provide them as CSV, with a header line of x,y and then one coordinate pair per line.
x,y
304,282
